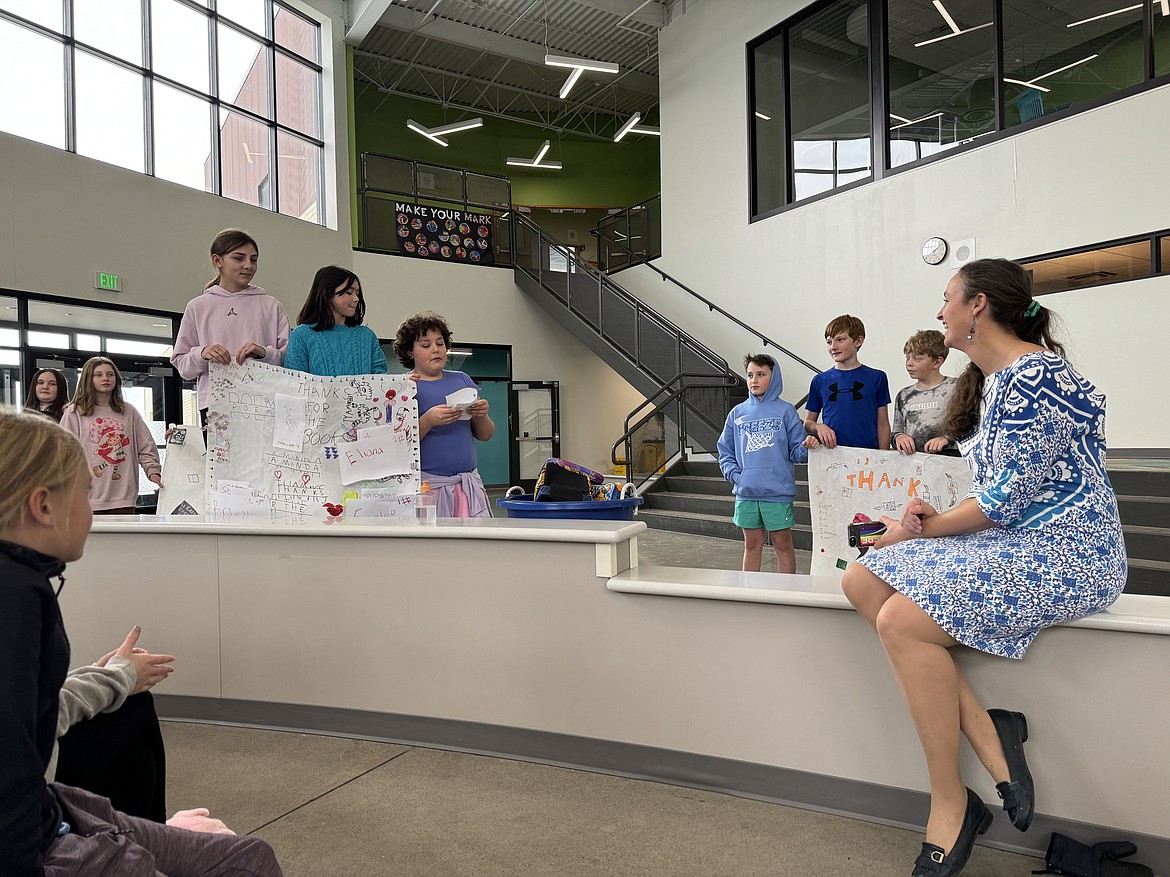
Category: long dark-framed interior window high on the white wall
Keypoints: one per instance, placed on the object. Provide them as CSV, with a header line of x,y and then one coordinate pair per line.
x,y
850,91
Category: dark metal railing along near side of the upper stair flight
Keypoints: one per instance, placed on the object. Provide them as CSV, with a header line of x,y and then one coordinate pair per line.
x,y
630,328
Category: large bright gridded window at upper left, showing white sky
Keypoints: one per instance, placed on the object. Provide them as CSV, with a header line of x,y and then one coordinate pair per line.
x,y
228,100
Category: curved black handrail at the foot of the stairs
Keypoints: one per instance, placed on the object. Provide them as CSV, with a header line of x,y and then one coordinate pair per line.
x,y
659,429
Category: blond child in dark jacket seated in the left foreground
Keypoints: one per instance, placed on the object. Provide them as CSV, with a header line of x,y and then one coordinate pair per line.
x,y
45,519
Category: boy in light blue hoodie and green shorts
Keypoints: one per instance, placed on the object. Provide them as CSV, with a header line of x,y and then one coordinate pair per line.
x,y
762,440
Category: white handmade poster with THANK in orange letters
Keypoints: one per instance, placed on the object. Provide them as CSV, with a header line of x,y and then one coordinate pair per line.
x,y
857,487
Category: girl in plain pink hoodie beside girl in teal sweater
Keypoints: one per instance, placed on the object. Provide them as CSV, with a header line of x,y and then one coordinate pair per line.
x,y
232,321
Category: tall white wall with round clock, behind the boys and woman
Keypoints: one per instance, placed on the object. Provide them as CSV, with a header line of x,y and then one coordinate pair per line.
x,y
1083,181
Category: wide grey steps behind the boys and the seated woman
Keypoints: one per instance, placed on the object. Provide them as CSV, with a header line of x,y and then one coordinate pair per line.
x,y
693,498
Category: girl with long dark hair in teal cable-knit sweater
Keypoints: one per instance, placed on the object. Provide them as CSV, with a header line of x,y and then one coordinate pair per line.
x,y
331,340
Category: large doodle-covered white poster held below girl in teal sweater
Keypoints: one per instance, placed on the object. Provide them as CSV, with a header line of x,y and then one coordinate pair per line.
x,y
290,477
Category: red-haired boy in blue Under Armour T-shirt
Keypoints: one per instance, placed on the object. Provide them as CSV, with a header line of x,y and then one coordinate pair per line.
x,y
852,398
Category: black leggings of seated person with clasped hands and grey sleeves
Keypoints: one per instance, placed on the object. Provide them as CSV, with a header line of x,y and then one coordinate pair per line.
x,y
119,756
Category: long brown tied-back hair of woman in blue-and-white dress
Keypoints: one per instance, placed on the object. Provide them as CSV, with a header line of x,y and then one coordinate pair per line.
x,y
1008,288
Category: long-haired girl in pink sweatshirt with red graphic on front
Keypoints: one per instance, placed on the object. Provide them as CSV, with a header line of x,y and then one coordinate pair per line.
x,y
115,437
